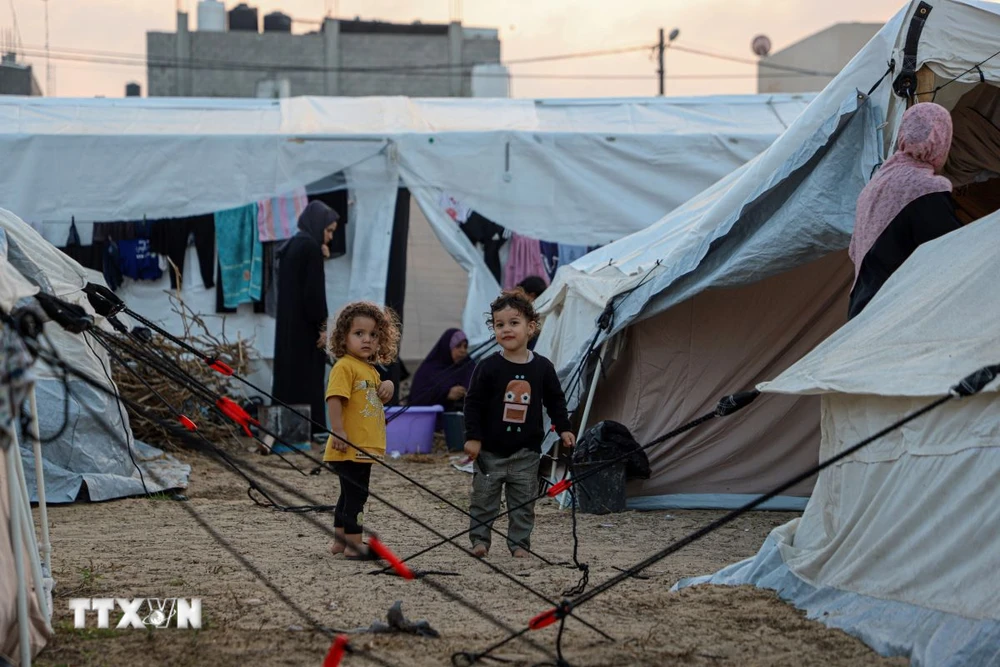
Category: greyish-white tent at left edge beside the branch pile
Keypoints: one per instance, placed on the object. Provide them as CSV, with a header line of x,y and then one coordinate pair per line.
x,y
83,452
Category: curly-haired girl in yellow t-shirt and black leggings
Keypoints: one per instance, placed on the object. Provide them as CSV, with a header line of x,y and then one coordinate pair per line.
x,y
365,334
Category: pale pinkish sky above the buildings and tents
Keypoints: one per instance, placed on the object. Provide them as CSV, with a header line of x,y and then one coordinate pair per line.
x,y
528,28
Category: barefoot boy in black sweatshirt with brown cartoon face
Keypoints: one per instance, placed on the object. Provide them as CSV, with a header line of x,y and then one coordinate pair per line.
x,y
503,424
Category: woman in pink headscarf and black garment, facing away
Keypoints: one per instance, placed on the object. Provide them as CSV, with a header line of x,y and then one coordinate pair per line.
x,y
905,205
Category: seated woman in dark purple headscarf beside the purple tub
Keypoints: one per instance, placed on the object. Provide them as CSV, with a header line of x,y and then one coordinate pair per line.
x,y
445,374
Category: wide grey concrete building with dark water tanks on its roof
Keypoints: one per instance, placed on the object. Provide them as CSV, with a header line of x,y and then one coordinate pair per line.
x,y
247,63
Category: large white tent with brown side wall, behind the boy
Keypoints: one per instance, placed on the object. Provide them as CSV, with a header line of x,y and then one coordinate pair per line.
x,y
735,285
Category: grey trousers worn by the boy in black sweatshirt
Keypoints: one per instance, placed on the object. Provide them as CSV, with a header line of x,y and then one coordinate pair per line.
x,y
519,475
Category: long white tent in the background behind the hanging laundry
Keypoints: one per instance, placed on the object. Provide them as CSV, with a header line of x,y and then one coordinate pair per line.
x,y
574,171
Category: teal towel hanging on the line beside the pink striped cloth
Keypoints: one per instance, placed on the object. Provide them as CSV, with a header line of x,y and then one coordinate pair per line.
x,y
241,255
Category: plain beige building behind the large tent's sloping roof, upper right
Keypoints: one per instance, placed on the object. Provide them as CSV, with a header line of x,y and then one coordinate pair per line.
x,y
827,51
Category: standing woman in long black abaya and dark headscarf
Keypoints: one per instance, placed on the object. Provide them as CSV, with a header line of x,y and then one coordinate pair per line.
x,y
299,357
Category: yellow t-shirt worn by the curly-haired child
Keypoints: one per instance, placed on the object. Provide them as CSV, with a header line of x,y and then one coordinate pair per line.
x,y
363,414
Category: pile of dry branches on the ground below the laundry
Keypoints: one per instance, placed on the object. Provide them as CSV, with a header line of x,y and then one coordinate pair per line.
x,y
237,355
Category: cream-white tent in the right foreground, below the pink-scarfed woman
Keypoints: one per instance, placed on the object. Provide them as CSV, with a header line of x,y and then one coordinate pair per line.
x,y
900,541
